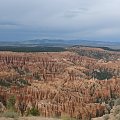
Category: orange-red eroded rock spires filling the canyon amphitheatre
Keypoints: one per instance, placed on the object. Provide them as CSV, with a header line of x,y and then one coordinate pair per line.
x,y
60,84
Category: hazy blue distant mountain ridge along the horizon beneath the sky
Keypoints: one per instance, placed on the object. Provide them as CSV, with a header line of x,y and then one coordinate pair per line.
x,y
61,43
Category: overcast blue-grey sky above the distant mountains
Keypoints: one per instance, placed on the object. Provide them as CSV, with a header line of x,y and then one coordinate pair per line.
x,y
60,19
